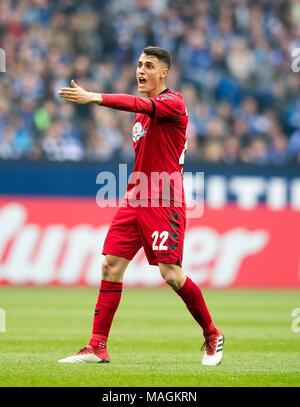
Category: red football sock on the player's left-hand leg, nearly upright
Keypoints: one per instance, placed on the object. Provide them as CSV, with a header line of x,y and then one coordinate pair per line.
x,y
107,304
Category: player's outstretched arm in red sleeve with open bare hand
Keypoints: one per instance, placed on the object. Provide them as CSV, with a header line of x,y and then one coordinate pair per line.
x,y
128,103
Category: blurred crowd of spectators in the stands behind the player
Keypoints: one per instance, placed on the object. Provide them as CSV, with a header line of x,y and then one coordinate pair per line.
x,y
231,62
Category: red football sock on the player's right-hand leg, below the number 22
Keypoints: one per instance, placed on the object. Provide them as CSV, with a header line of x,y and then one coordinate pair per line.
x,y
193,299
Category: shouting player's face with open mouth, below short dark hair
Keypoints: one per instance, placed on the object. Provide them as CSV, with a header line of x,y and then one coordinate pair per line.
x,y
150,74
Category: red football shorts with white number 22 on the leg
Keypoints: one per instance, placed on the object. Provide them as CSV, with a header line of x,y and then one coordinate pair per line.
x,y
159,230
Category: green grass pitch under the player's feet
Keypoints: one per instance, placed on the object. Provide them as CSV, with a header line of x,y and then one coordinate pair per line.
x,y
153,340
